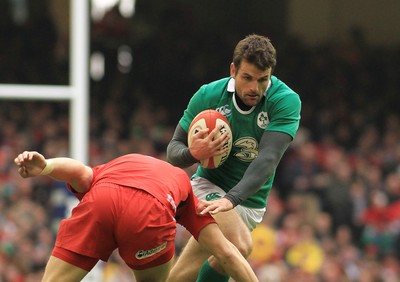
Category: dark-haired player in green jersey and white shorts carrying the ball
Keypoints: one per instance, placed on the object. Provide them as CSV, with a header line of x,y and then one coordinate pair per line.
x,y
264,114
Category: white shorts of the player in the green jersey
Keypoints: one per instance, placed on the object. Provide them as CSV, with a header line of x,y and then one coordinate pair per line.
x,y
206,190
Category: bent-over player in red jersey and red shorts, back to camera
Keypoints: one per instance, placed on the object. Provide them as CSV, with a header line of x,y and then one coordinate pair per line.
x,y
131,203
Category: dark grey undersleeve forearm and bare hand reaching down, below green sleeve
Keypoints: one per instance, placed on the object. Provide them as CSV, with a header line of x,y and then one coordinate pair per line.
x,y
273,145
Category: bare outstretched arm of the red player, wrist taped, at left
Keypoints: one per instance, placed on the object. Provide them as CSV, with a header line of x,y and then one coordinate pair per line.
x,y
74,172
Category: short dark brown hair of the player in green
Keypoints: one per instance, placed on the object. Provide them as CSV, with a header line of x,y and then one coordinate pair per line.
x,y
257,50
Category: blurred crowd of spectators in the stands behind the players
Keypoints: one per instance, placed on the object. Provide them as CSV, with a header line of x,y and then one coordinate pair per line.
x,y
333,214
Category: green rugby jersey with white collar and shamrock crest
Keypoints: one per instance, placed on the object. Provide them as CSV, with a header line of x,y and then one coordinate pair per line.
x,y
279,110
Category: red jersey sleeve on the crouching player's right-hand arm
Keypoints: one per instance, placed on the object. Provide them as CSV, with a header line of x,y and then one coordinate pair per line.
x,y
186,216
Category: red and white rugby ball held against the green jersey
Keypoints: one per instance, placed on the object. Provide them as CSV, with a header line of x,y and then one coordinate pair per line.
x,y
210,119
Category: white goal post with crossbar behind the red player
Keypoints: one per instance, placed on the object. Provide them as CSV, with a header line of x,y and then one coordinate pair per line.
x,y
77,92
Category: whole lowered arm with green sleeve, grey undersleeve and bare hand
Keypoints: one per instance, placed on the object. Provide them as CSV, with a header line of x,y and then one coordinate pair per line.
x,y
273,144
